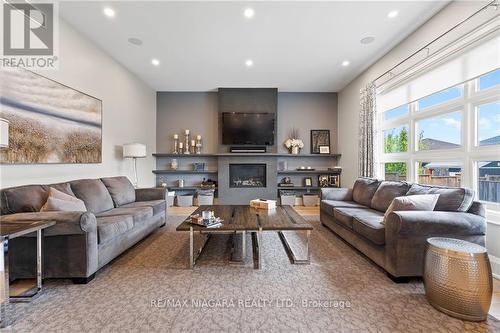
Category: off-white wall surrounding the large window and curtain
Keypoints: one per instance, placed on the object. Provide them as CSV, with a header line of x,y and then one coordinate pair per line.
x,y
349,97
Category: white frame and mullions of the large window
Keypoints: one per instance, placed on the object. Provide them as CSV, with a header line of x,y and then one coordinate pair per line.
x,y
468,155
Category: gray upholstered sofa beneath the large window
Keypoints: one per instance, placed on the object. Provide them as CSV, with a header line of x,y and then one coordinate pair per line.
x,y
398,246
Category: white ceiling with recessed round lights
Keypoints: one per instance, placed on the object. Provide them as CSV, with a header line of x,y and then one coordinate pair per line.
x,y
295,46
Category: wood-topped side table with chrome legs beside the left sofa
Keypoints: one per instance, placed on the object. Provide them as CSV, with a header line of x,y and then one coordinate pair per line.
x,y
10,230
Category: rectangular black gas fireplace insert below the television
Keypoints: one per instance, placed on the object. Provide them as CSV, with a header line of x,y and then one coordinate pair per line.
x,y
247,175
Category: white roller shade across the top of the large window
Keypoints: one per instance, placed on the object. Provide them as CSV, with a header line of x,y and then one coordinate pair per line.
x,y
465,59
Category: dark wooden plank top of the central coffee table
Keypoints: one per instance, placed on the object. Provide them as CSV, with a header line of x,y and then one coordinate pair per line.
x,y
246,218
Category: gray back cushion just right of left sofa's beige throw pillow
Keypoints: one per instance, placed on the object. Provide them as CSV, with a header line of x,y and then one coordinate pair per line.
x,y
94,194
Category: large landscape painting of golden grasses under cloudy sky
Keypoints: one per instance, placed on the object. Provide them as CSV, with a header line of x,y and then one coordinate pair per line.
x,y
48,121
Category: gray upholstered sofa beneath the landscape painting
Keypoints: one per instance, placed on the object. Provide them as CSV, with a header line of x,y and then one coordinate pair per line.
x,y
117,217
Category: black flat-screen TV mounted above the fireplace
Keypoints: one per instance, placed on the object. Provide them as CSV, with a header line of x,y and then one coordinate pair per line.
x,y
248,128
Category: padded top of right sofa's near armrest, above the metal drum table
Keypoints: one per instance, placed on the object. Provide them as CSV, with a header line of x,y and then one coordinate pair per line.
x,y
436,223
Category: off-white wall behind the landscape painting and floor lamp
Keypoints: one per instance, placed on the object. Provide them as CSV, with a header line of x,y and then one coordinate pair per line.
x,y
129,115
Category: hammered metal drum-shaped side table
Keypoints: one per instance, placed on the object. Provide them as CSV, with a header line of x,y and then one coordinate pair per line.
x,y
457,278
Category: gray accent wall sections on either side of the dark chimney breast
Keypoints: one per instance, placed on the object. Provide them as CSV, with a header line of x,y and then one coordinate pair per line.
x,y
198,111
